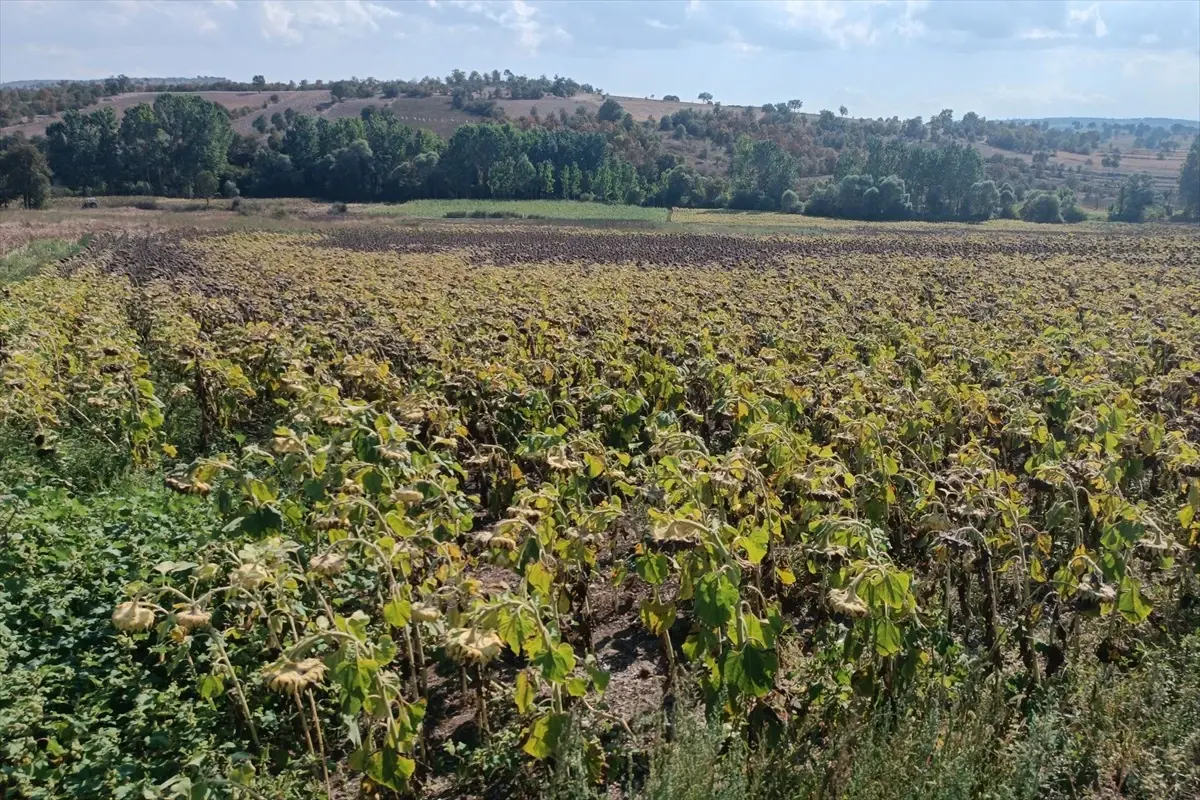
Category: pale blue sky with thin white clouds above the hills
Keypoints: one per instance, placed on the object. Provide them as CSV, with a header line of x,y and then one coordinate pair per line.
x,y
879,58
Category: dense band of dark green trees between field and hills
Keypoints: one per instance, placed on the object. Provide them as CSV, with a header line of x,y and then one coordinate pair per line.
x,y
184,146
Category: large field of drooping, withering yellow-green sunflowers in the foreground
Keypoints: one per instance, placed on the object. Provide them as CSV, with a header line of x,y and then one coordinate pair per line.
x,y
441,509
